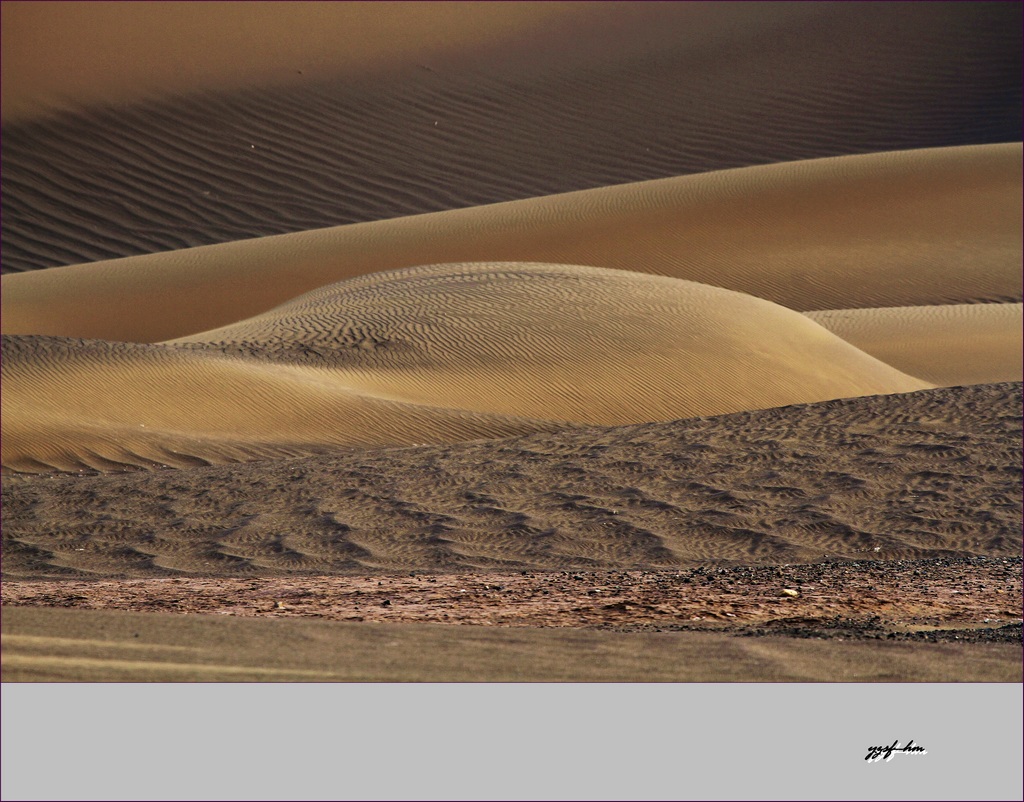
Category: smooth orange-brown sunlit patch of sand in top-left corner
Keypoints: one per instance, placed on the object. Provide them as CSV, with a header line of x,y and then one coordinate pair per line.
x,y
64,55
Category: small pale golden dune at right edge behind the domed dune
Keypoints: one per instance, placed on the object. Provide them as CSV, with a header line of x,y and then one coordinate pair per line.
x,y
947,346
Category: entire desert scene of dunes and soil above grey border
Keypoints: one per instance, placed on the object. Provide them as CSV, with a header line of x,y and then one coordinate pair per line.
x,y
594,343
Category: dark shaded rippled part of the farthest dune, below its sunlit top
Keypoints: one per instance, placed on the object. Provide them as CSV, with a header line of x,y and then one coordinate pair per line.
x,y
662,92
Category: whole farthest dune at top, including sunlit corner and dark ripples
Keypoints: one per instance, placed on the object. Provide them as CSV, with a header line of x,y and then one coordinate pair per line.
x,y
298,117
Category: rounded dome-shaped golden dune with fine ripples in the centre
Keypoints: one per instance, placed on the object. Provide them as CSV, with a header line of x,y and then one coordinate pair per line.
x,y
565,343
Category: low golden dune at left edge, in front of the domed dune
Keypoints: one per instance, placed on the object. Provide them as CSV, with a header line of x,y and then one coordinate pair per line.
x,y
74,405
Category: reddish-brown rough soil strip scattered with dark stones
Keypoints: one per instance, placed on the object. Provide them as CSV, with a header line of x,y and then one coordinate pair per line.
x,y
964,599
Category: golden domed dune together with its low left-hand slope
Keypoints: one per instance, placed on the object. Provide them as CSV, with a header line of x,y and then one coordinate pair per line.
x,y
428,355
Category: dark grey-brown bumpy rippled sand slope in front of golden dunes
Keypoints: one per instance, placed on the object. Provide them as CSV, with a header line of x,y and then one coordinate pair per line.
x,y
924,475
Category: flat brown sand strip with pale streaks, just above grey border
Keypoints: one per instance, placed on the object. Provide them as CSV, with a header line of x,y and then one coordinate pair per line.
x,y
51,646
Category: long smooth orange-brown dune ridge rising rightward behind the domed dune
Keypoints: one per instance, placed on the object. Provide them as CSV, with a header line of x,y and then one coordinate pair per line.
x,y
815,235
